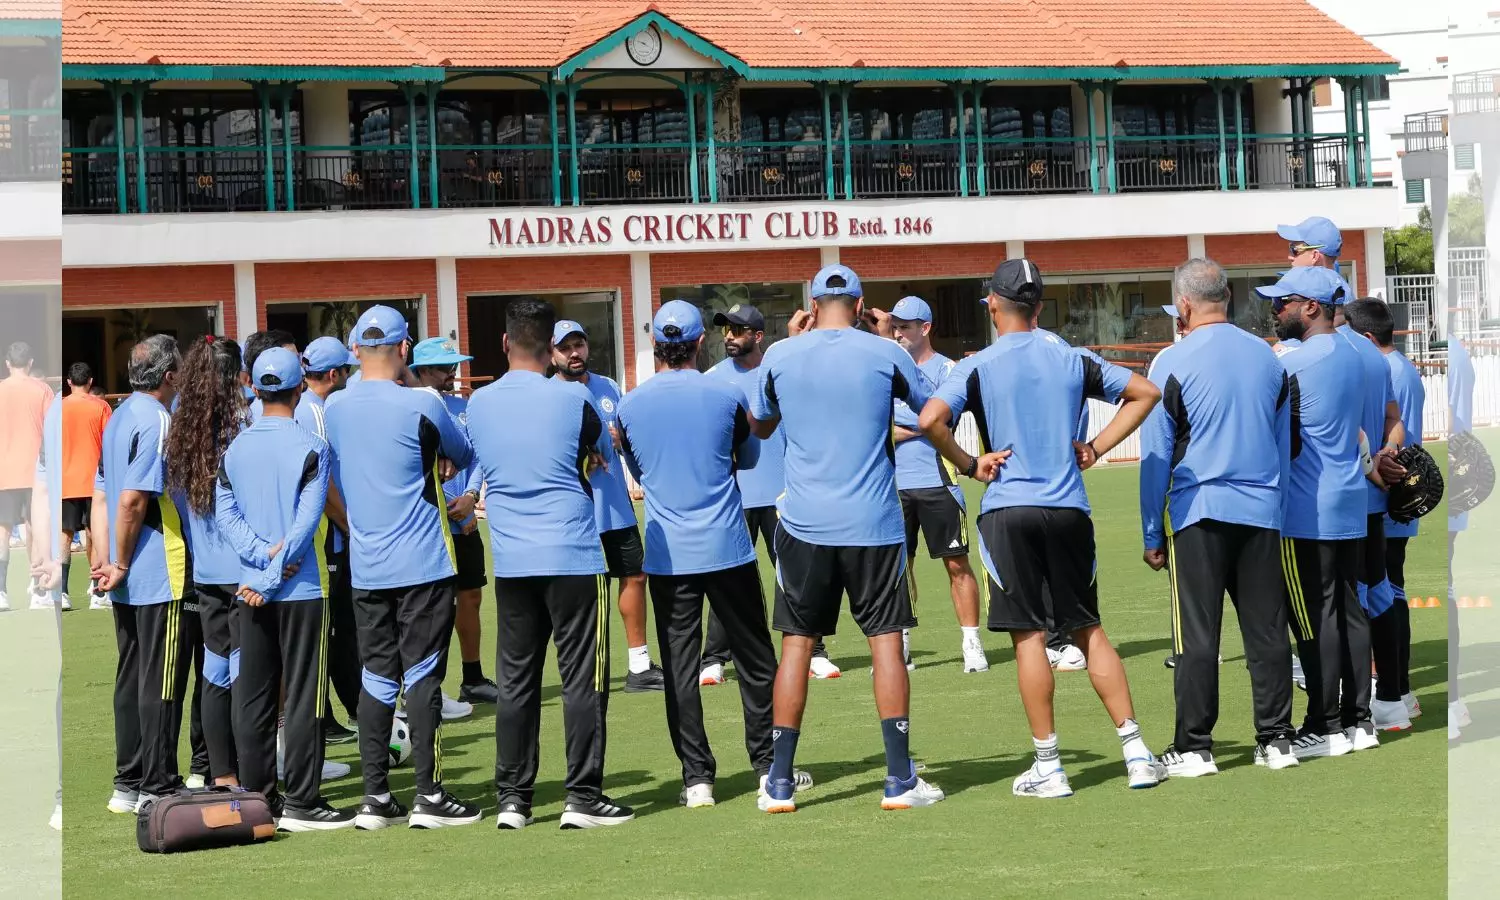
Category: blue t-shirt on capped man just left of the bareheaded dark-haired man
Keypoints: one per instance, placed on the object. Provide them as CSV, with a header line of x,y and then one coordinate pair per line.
x,y
388,440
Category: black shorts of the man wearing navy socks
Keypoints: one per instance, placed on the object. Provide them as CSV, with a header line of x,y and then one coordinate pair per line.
x,y
812,580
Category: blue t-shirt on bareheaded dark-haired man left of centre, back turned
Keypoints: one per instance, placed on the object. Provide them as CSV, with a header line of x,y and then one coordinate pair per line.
x,y
532,439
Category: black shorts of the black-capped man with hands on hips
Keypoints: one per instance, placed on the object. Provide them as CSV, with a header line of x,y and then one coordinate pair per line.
x,y
1031,554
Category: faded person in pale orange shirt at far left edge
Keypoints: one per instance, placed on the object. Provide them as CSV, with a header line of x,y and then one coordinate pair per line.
x,y
23,406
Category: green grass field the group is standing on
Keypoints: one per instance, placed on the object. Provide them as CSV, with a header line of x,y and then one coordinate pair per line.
x,y
1313,829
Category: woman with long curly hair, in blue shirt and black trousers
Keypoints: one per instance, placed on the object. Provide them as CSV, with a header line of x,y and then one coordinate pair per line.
x,y
211,413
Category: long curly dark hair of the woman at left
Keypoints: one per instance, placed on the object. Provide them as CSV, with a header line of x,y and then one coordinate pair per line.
x,y
211,413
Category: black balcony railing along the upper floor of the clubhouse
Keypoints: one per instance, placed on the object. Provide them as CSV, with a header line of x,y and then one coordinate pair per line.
x,y
236,179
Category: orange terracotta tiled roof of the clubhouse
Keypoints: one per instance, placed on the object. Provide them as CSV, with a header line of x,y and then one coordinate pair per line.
x,y
763,34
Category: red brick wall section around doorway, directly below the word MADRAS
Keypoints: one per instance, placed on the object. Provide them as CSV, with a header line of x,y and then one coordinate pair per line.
x,y
551,275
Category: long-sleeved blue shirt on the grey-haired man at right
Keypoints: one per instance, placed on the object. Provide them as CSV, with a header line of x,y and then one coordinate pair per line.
x,y
1214,448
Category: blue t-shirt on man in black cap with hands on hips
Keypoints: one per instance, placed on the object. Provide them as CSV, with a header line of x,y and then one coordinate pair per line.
x,y
1027,392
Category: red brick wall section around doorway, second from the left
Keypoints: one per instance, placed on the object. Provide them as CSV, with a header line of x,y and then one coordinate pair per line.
x,y
280,283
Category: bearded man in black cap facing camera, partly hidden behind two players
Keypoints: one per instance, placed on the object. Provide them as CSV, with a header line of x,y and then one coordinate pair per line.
x,y
760,485
